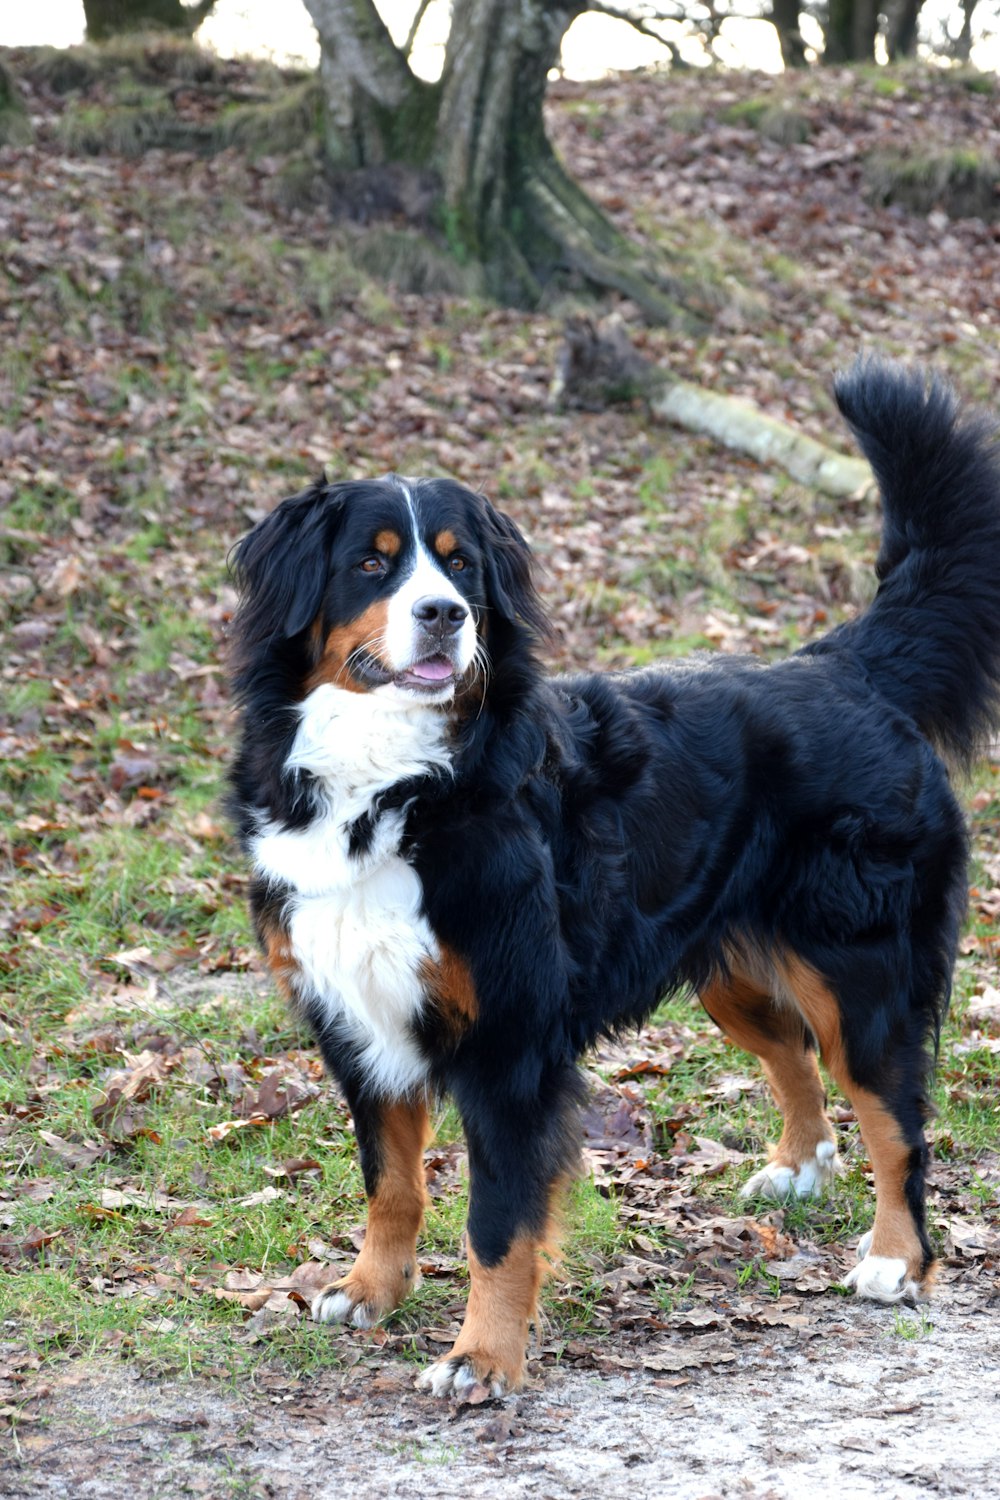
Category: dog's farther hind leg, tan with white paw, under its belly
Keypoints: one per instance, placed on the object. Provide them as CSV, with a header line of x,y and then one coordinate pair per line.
x,y
804,1163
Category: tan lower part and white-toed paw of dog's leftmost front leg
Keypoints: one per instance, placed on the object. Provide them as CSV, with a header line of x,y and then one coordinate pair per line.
x,y
386,1268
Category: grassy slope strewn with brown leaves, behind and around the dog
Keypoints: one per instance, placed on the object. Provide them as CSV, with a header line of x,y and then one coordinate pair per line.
x,y
184,341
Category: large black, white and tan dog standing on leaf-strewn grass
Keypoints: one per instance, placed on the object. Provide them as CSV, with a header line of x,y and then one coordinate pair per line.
x,y
466,872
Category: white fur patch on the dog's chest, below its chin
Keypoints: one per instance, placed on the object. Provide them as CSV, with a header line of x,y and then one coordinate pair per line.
x,y
356,923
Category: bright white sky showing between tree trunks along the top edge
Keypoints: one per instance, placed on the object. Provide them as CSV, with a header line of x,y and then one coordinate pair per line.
x,y
281,29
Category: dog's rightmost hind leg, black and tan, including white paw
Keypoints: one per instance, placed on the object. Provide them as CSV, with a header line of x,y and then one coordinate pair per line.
x,y
896,1258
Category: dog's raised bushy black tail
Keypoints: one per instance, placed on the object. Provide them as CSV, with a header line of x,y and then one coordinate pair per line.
x,y
932,638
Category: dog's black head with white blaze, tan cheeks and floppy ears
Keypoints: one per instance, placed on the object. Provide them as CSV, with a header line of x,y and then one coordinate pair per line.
x,y
395,587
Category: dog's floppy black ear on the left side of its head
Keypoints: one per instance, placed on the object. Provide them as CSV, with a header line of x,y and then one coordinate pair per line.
x,y
281,568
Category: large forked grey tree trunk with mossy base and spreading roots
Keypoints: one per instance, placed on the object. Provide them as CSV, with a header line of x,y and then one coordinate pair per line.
x,y
506,200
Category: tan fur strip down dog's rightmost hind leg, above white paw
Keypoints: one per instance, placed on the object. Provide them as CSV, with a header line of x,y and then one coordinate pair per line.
x,y
894,1235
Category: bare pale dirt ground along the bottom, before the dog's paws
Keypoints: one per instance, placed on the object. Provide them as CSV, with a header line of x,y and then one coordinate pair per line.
x,y
849,1408
